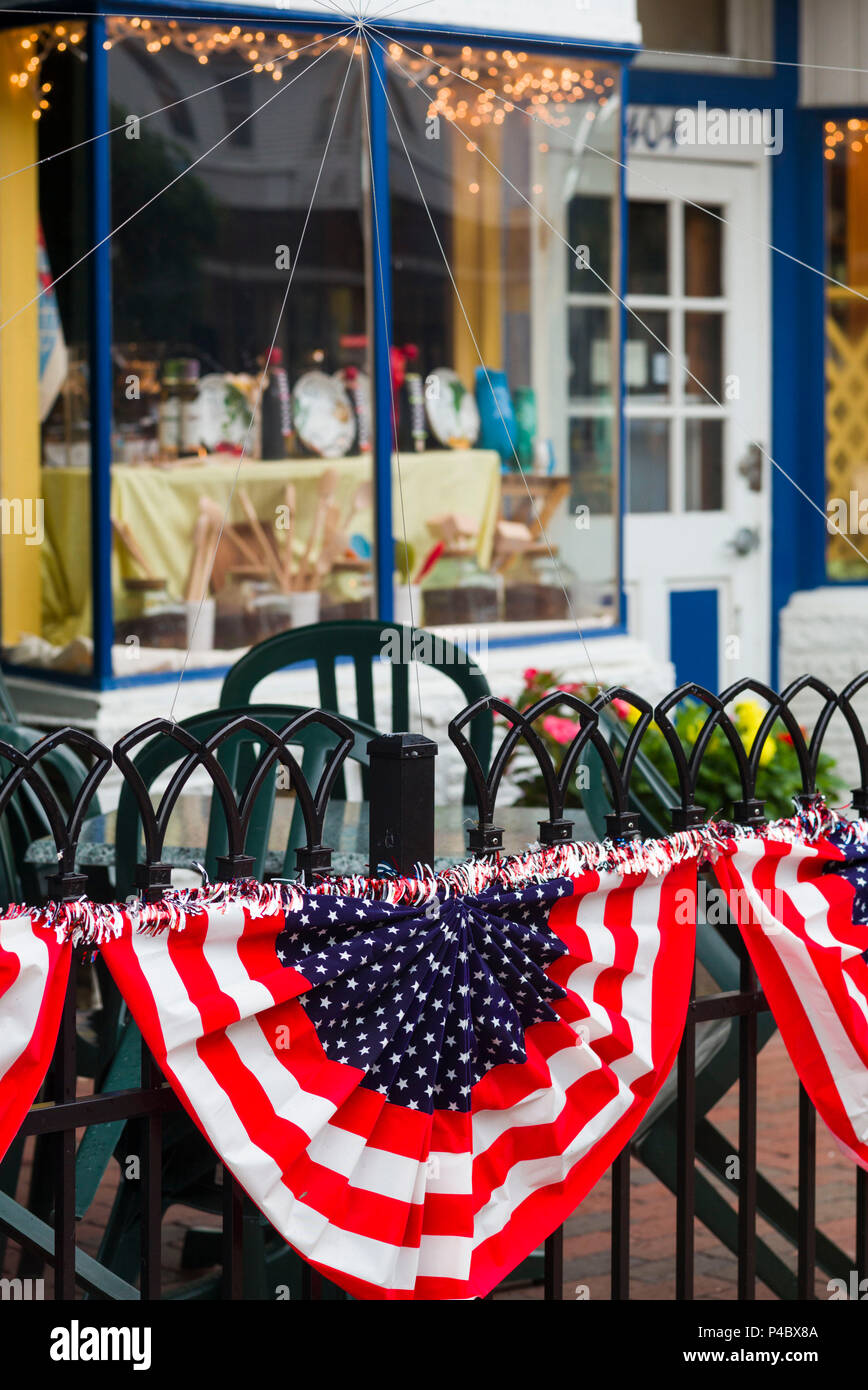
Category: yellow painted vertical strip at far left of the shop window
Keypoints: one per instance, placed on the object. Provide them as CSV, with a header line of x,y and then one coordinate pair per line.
x,y
20,443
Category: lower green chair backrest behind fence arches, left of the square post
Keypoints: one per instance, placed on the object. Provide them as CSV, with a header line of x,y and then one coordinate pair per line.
x,y
237,758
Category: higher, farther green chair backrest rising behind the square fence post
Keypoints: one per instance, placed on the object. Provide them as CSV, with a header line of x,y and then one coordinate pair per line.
x,y
361,643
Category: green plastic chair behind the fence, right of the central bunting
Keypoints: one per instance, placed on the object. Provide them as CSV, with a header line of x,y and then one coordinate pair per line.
x,y
717,1054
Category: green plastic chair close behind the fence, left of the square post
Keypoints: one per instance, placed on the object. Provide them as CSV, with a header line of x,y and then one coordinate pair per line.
x,y
188,1161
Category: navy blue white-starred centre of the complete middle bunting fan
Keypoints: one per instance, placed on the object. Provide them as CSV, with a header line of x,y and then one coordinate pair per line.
x,y
426,1000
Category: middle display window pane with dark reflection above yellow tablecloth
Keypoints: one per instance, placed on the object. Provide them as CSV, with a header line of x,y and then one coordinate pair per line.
x,y
244,251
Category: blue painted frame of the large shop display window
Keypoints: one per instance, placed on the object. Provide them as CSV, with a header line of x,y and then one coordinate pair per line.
x,y
99,273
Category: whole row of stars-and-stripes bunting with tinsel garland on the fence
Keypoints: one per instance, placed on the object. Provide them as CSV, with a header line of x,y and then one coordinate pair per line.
x,y
419,1079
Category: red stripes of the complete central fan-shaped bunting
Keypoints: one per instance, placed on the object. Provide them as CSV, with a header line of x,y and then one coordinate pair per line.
x,y
371,1117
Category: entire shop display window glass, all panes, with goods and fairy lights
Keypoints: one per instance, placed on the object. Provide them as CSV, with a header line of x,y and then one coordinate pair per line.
x,y
241,418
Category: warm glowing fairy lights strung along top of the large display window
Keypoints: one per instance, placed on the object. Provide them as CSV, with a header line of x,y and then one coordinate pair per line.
x,y
507,77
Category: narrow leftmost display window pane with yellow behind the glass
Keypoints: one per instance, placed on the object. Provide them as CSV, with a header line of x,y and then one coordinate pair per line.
x,y
45,430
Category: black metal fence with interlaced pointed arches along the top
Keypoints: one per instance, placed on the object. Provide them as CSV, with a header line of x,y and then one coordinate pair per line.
x,y
401,789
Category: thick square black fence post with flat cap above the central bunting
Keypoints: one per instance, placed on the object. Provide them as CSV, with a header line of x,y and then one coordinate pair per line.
x,y
401,803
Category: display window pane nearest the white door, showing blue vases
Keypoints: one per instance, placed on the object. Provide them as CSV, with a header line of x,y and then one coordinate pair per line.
x,y
506,330
